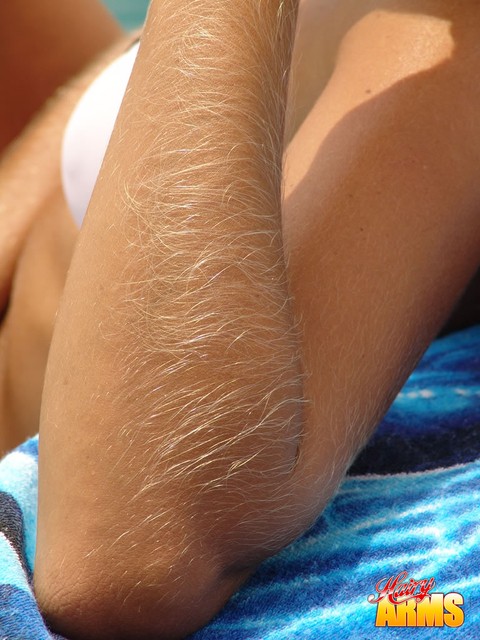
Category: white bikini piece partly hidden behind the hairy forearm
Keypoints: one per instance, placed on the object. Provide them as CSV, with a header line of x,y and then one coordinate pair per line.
x,y
88,132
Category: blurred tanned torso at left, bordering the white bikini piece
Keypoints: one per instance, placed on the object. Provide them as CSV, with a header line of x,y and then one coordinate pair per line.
x,y
37,237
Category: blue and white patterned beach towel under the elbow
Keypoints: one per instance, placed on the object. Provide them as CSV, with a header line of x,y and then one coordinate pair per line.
x,y
409,504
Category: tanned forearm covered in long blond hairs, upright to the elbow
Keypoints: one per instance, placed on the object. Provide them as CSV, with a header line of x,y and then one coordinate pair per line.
x,y
186,364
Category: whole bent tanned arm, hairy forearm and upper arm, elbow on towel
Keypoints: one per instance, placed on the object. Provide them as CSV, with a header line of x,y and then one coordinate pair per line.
x,y
218,391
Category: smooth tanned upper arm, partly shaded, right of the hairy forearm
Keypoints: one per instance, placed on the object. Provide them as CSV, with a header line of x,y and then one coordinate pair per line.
x,y
381,219
